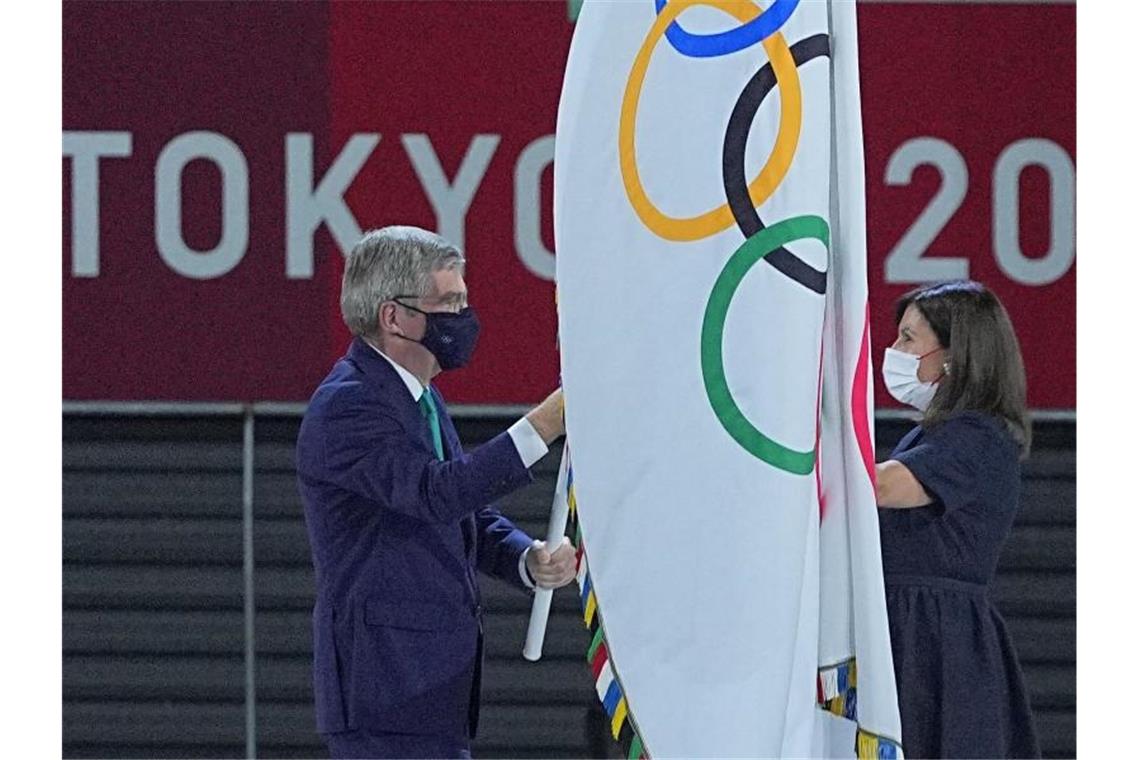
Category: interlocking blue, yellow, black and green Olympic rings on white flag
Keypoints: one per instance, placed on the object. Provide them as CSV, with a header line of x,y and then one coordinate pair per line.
x,y
743,199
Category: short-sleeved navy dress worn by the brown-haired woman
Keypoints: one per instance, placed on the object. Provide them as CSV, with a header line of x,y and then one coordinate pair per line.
x,y
960,689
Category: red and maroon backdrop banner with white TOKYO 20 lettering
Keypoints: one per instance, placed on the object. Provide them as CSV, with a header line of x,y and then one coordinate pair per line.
x,y
218,158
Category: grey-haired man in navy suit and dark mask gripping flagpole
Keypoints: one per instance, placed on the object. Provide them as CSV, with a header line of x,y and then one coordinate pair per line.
x,y
401,517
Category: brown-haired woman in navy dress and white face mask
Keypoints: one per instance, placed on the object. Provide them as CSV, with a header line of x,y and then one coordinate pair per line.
x,y
948,497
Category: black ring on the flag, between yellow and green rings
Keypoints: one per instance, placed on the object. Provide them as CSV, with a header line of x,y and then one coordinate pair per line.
x,y
736,183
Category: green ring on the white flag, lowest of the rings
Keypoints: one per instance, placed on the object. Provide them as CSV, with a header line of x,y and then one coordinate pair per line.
x,y
716,386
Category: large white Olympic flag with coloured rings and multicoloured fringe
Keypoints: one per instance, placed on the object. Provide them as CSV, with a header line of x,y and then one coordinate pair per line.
x,y
710,226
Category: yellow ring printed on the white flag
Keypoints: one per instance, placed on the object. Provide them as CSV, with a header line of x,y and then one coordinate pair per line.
x,y
760,190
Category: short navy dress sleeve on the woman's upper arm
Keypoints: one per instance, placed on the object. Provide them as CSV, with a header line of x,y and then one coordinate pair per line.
x,y
951,460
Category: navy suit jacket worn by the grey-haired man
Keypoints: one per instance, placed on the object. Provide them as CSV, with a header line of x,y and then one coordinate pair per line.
x,y
396,538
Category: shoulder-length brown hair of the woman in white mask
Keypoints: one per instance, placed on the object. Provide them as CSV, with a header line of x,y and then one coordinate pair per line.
x,y
987,373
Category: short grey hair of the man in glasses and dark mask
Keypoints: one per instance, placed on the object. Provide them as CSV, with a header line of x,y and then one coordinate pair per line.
x,y
390,263
